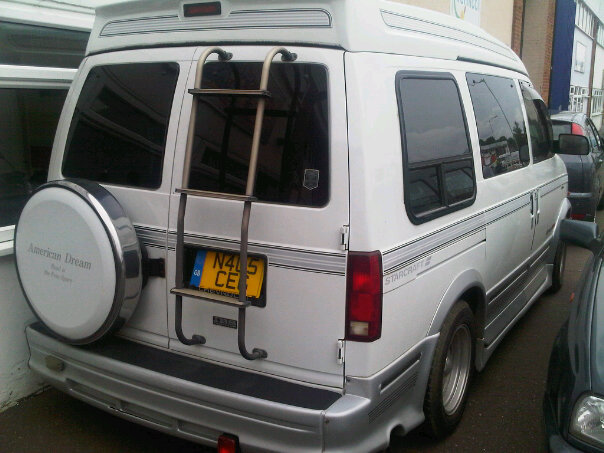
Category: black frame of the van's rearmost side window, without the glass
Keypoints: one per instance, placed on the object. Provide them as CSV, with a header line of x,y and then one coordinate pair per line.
x,y
438,163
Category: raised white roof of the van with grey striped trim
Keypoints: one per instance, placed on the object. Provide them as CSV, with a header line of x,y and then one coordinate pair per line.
x,y
357,26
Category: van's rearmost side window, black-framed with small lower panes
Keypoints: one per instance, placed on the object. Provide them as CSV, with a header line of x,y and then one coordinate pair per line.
x,y
437,157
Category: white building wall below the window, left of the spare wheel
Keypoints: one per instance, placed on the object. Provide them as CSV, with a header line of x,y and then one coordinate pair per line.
x,y
16,380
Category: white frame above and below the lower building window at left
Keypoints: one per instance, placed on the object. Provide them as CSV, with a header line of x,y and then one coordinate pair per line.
x,y
36,78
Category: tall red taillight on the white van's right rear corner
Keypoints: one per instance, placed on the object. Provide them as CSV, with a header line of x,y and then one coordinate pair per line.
x,y
364,296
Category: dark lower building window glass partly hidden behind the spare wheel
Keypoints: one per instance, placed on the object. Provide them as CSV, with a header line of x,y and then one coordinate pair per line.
x,y
29,120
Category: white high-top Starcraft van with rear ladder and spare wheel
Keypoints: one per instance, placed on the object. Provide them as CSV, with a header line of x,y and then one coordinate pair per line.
x,y
386,172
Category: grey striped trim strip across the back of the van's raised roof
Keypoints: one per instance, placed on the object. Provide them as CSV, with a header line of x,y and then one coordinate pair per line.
x,y
275,18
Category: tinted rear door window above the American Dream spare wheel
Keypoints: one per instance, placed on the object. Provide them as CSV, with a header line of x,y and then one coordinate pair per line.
x,y
118,130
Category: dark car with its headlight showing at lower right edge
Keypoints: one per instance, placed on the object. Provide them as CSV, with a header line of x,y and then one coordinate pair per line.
x,y
574,398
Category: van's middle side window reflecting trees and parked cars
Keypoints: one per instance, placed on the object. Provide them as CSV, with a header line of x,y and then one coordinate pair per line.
x,y
500,123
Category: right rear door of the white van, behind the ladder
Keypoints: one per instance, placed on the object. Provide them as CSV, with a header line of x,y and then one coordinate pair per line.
x,y
295,231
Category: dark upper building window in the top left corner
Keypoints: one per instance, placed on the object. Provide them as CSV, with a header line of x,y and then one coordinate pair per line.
x,y
32,45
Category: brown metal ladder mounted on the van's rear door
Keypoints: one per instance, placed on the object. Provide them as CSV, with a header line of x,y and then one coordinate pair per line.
x,y
180,290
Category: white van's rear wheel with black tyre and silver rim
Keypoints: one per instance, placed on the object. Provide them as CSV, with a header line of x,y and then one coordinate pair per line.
x,y
451,372
